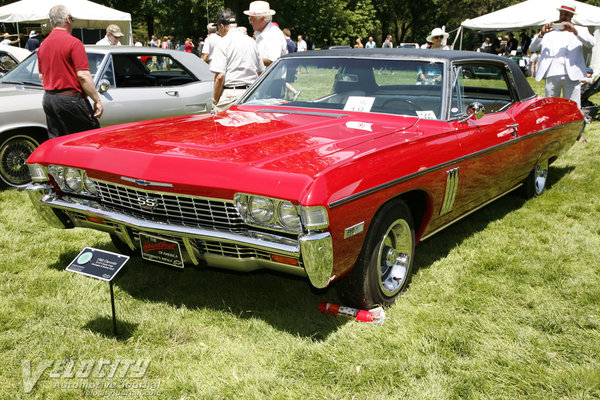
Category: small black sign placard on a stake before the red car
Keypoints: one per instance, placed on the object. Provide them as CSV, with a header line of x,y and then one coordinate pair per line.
x,y
99,264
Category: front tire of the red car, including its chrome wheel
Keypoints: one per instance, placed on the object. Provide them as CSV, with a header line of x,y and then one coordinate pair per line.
x,y
383,268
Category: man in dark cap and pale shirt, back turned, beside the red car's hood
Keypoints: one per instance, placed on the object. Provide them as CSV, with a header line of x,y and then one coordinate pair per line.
x,y
236,62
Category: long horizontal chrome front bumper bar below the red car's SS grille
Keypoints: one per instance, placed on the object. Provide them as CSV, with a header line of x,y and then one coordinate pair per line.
x,y
183,231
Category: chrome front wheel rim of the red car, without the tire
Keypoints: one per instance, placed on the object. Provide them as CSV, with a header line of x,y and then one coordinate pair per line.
x,y
394,257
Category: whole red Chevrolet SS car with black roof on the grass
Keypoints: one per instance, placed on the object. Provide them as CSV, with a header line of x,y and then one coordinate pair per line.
x,y
332,166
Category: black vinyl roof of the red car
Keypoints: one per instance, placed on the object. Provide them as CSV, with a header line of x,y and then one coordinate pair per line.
x,y
524,90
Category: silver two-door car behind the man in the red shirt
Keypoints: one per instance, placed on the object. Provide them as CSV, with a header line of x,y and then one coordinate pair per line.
x,y
135,84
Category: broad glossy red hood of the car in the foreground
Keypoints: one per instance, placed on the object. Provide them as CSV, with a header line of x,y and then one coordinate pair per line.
x,y
228,150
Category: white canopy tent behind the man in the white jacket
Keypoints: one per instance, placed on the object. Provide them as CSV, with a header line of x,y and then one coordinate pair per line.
x,y
534,14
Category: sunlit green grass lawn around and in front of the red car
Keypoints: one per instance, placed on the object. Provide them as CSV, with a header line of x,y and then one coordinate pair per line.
x,y
503,305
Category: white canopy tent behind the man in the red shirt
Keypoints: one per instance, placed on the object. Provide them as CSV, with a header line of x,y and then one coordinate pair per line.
x,y
87,15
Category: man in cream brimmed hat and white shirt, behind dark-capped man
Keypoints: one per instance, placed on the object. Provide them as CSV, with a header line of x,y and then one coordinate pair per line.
x,y
269,38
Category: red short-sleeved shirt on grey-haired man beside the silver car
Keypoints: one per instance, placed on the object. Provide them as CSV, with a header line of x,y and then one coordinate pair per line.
x,y
60,56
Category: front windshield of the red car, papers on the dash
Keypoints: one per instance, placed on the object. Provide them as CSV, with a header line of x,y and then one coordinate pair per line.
x,y
403,87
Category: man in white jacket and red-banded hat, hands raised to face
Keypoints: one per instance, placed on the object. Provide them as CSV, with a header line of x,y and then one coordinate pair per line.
x,y
561,60
